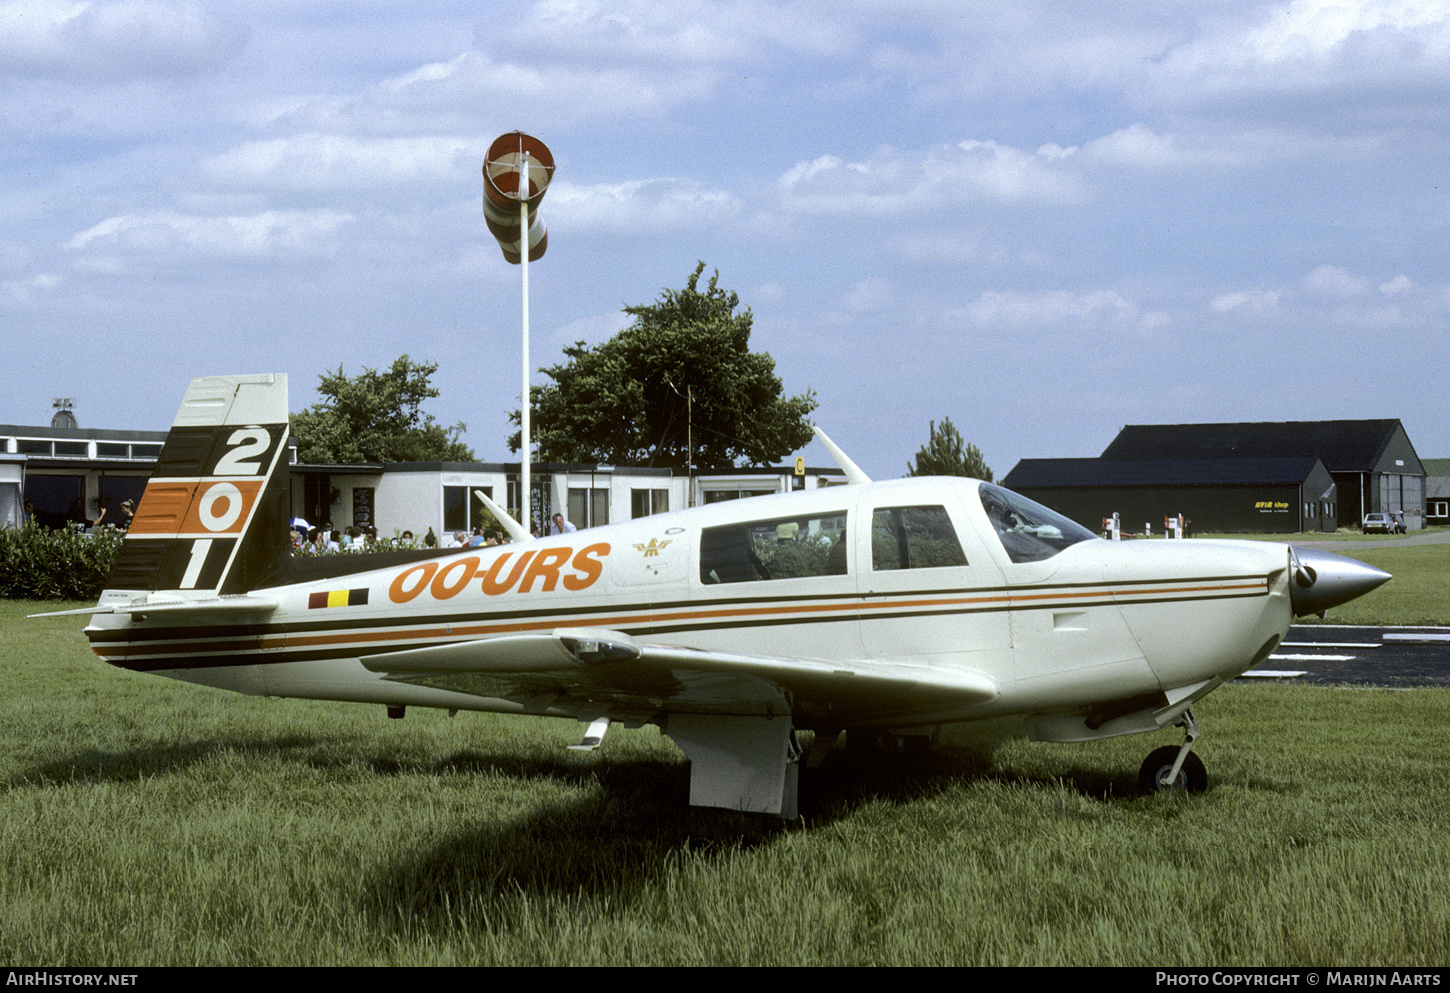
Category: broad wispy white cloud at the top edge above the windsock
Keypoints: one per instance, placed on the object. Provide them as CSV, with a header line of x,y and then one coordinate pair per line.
x,y
563,62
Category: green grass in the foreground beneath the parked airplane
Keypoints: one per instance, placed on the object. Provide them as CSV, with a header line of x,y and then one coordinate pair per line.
x,y
150,823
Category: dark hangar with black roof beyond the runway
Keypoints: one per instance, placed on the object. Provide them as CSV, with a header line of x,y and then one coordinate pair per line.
x,y
1268,476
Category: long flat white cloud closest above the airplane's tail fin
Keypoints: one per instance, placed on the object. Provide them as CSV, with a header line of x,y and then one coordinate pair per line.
x,y
270,234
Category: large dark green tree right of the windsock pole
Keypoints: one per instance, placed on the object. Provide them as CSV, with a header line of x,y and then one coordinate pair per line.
x,y
676,388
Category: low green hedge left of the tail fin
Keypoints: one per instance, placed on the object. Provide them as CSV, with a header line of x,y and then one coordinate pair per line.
x,y
43,565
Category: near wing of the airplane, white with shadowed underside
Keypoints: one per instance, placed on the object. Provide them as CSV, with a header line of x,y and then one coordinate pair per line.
x,y
592,670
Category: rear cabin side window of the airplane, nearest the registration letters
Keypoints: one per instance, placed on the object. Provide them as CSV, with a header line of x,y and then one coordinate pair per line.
x,y
781,549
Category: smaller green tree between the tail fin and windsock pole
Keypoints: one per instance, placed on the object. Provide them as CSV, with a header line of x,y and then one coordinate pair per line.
x,y
378,418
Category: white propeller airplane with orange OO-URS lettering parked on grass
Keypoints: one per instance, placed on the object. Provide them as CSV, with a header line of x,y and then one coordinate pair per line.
x,y
871,608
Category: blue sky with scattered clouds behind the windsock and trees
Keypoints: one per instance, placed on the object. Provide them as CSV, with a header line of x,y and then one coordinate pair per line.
x,y
1043,221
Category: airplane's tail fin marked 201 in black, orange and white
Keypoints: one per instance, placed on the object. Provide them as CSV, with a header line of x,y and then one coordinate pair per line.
x,y
214,515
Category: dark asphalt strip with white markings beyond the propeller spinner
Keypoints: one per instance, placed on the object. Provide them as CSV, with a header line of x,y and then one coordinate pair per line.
x,y
1346,656
